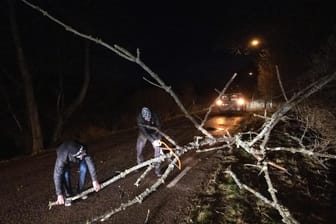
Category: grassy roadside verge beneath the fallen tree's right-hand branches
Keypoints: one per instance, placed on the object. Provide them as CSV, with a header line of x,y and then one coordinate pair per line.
x,y
308,190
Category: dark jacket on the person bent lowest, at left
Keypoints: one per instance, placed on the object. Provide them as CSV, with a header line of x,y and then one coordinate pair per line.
x,y
65,156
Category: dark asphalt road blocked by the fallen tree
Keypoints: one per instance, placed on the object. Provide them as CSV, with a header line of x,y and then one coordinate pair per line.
x,y
27,184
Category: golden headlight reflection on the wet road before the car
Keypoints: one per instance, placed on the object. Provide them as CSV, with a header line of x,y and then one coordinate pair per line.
x,y
219,125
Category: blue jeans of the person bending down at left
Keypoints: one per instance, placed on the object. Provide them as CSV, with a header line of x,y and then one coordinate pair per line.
x,y
81,181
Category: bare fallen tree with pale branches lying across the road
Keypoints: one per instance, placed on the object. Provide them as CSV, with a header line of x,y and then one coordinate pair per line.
x,y
256,145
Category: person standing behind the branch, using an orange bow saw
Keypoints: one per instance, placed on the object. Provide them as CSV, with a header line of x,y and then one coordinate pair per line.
x,y
149,118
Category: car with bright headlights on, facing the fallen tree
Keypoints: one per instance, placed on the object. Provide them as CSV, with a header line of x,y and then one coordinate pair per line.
x,y
231,102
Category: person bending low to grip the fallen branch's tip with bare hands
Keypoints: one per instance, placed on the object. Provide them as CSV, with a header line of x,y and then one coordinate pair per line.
x,y
72,152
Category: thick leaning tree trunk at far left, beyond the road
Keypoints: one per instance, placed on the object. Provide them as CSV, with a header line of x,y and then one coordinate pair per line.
x,y
32,112
